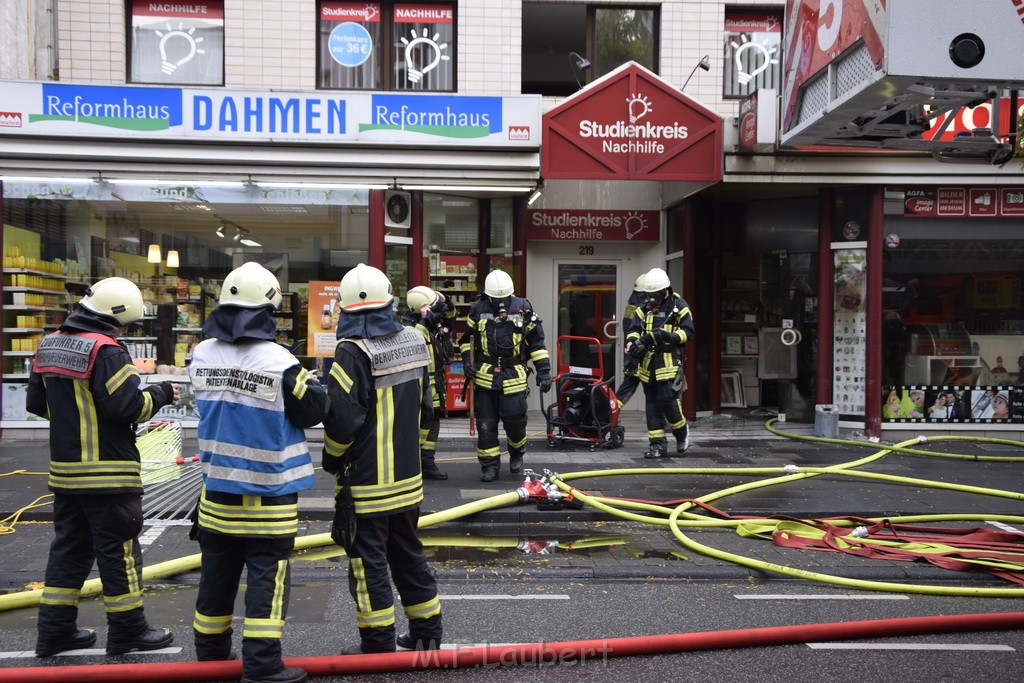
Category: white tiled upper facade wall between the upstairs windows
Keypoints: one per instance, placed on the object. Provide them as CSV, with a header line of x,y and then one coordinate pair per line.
x,y
272,45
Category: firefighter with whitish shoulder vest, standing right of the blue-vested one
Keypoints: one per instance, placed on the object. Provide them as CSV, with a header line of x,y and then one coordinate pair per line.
x,y
379,388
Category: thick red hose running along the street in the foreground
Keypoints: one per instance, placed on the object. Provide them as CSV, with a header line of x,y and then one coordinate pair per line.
x,y
531,654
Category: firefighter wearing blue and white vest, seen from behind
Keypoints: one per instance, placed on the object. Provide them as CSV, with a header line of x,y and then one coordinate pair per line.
x,y
254,400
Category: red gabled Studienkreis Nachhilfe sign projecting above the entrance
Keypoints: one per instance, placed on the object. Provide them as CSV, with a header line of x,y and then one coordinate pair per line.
x,y
631,125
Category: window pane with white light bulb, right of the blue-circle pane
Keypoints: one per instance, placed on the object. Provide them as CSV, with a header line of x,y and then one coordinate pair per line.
x,y
423,46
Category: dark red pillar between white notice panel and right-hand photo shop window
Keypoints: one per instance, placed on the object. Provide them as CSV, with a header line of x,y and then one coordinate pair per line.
x,y
874,314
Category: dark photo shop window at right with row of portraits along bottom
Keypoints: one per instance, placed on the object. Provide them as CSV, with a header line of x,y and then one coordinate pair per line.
x,y
954,320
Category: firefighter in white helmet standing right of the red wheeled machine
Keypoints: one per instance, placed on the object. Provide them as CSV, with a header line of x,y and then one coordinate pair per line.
x,y
660,330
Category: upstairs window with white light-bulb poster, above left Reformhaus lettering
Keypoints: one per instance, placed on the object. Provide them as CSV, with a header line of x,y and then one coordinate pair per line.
x,y
177,44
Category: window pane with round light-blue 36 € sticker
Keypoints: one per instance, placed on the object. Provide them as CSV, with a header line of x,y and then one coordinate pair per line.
x,y
351,46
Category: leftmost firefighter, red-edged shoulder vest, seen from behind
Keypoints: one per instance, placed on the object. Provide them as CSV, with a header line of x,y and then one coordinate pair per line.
x,y
84,381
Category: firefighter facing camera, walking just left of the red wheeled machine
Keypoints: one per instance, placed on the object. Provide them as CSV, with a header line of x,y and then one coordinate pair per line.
x,y
503,333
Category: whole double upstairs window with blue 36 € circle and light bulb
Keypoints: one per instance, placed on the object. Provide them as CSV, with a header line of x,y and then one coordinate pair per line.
x,y
388,47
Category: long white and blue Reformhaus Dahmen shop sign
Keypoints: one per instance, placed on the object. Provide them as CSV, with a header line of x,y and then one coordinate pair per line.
x,y
321,117
